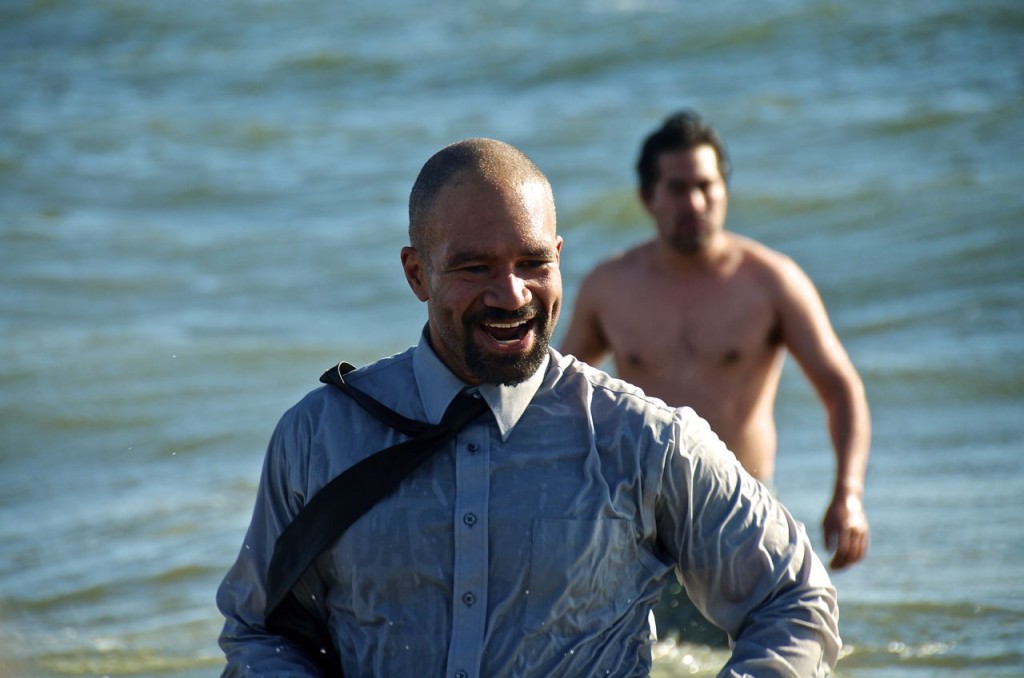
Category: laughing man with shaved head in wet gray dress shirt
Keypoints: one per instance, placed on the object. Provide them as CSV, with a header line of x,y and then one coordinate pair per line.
x,y
536,539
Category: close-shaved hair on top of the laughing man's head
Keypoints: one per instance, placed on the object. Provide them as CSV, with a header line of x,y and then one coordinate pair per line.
x,y
494,163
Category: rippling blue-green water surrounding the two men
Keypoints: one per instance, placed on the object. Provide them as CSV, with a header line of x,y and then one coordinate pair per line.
x,y
202,206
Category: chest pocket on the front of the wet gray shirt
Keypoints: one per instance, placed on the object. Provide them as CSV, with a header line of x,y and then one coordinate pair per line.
x,y
582,575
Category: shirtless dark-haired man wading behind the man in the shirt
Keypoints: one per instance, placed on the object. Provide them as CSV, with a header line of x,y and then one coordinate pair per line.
x,y
702,317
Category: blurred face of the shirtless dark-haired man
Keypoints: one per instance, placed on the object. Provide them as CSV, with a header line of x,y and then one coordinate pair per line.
x,y
691,199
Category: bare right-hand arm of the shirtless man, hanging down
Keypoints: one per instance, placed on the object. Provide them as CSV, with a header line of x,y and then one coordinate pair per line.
x,y
813,342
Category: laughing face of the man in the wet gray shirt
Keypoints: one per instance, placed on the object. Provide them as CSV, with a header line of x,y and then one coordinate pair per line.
x,y
490,278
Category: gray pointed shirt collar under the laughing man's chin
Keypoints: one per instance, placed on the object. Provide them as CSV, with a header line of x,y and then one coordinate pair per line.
x,y
439,387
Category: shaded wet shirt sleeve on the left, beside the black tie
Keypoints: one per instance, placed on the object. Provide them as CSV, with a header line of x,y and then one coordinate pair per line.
x,y
250,649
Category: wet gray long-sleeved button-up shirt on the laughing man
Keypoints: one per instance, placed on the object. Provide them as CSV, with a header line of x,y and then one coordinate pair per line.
x,y
536,543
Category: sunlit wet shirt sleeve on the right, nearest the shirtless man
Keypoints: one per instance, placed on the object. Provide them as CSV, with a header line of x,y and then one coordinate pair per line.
x,y
746,563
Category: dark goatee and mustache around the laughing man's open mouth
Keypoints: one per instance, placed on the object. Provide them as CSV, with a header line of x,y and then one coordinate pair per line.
x,y
501,369
